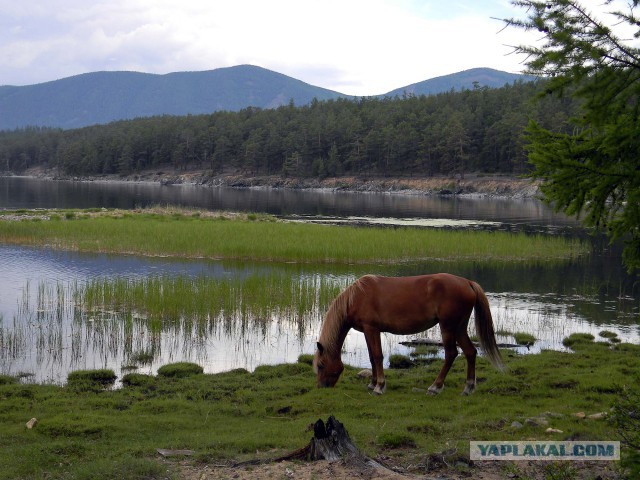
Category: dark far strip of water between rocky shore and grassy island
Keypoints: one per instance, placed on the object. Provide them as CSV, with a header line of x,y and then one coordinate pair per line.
x,y
16,192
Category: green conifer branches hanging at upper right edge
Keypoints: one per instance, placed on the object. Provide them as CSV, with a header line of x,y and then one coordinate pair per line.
x,y
593,171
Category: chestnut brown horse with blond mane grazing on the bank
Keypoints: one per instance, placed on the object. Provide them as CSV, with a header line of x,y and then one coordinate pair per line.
x,y
404,306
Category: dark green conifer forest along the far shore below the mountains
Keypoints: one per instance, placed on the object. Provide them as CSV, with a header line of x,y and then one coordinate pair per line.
x,y
451,133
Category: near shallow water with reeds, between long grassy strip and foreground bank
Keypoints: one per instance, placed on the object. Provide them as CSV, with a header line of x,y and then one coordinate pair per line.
x,y
225,316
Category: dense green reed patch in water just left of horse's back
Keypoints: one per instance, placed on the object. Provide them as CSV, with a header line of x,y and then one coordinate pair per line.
x,y
202,302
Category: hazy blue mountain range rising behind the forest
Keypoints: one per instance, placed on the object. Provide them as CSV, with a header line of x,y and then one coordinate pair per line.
x,y
103,97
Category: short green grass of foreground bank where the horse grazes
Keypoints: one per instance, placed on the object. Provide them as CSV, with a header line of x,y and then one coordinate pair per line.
x,y
85,431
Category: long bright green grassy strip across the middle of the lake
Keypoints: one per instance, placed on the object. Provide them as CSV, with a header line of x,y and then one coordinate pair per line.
x,y
262,238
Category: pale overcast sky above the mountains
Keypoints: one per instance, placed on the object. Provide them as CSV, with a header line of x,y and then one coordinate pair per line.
x,y
356,47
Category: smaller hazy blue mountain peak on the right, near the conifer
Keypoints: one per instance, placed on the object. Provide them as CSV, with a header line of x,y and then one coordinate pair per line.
x,y
485,77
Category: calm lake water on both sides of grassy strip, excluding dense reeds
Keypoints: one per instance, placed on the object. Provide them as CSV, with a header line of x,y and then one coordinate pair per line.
x,y
42,332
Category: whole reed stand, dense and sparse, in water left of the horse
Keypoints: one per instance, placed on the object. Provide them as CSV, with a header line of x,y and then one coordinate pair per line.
x,y
129,319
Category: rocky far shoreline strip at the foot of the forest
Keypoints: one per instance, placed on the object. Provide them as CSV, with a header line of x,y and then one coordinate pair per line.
x,y
471,185
